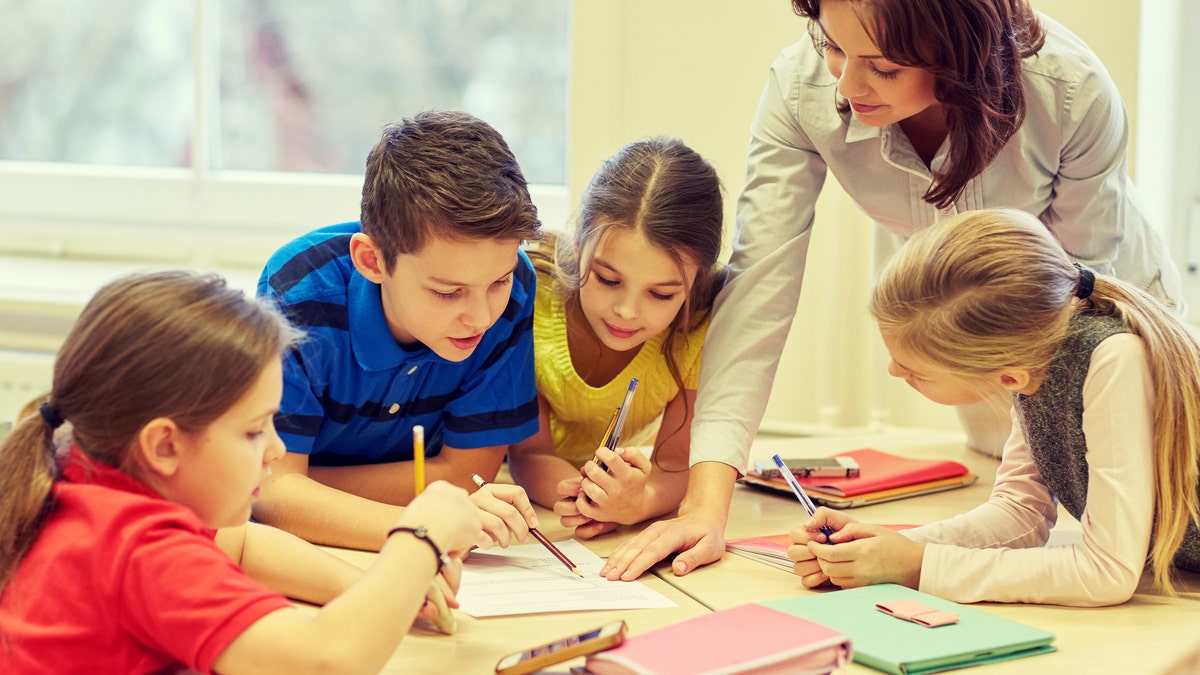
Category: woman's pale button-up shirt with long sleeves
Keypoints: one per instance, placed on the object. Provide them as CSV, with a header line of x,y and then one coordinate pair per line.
x,y
1066,165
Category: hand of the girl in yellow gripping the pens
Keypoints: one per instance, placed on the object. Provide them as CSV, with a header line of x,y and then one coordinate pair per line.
x,y
617,495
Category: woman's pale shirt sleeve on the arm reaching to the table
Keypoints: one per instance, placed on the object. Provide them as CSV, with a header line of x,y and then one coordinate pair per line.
x,y
754,312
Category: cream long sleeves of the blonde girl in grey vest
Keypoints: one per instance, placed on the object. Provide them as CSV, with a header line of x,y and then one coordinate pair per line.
x,y
995,552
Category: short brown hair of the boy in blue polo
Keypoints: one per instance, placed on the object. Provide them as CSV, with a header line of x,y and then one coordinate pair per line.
x,y
448,175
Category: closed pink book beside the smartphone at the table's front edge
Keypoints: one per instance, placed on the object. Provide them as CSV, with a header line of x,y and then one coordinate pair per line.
x,y
749,638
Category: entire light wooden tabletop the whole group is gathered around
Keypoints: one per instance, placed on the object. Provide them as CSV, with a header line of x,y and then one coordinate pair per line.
x,y
1149,635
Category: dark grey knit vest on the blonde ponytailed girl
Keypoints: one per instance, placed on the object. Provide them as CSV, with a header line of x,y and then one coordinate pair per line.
x,y
1053,421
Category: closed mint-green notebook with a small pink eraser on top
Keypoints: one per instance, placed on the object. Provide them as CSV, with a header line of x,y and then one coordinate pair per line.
x,y
893,646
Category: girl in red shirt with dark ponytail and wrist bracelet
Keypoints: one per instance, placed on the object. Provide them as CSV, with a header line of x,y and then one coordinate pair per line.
x,y
158,431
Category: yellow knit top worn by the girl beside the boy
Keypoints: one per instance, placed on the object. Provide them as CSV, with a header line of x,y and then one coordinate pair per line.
x,y
579,413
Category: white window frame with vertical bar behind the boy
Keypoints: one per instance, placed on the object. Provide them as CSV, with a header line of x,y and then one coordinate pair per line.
x,y
195,217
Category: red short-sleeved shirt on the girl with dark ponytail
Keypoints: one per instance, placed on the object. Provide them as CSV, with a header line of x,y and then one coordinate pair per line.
x,y
122,581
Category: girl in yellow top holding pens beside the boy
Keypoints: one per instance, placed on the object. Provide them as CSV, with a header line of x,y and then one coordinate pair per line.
x,y
628,294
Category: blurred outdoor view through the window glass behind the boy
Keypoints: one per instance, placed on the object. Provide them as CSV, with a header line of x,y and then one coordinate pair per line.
x,y
297,86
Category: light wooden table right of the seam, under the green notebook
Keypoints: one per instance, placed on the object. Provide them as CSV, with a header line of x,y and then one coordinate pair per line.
x,y
1150,634
